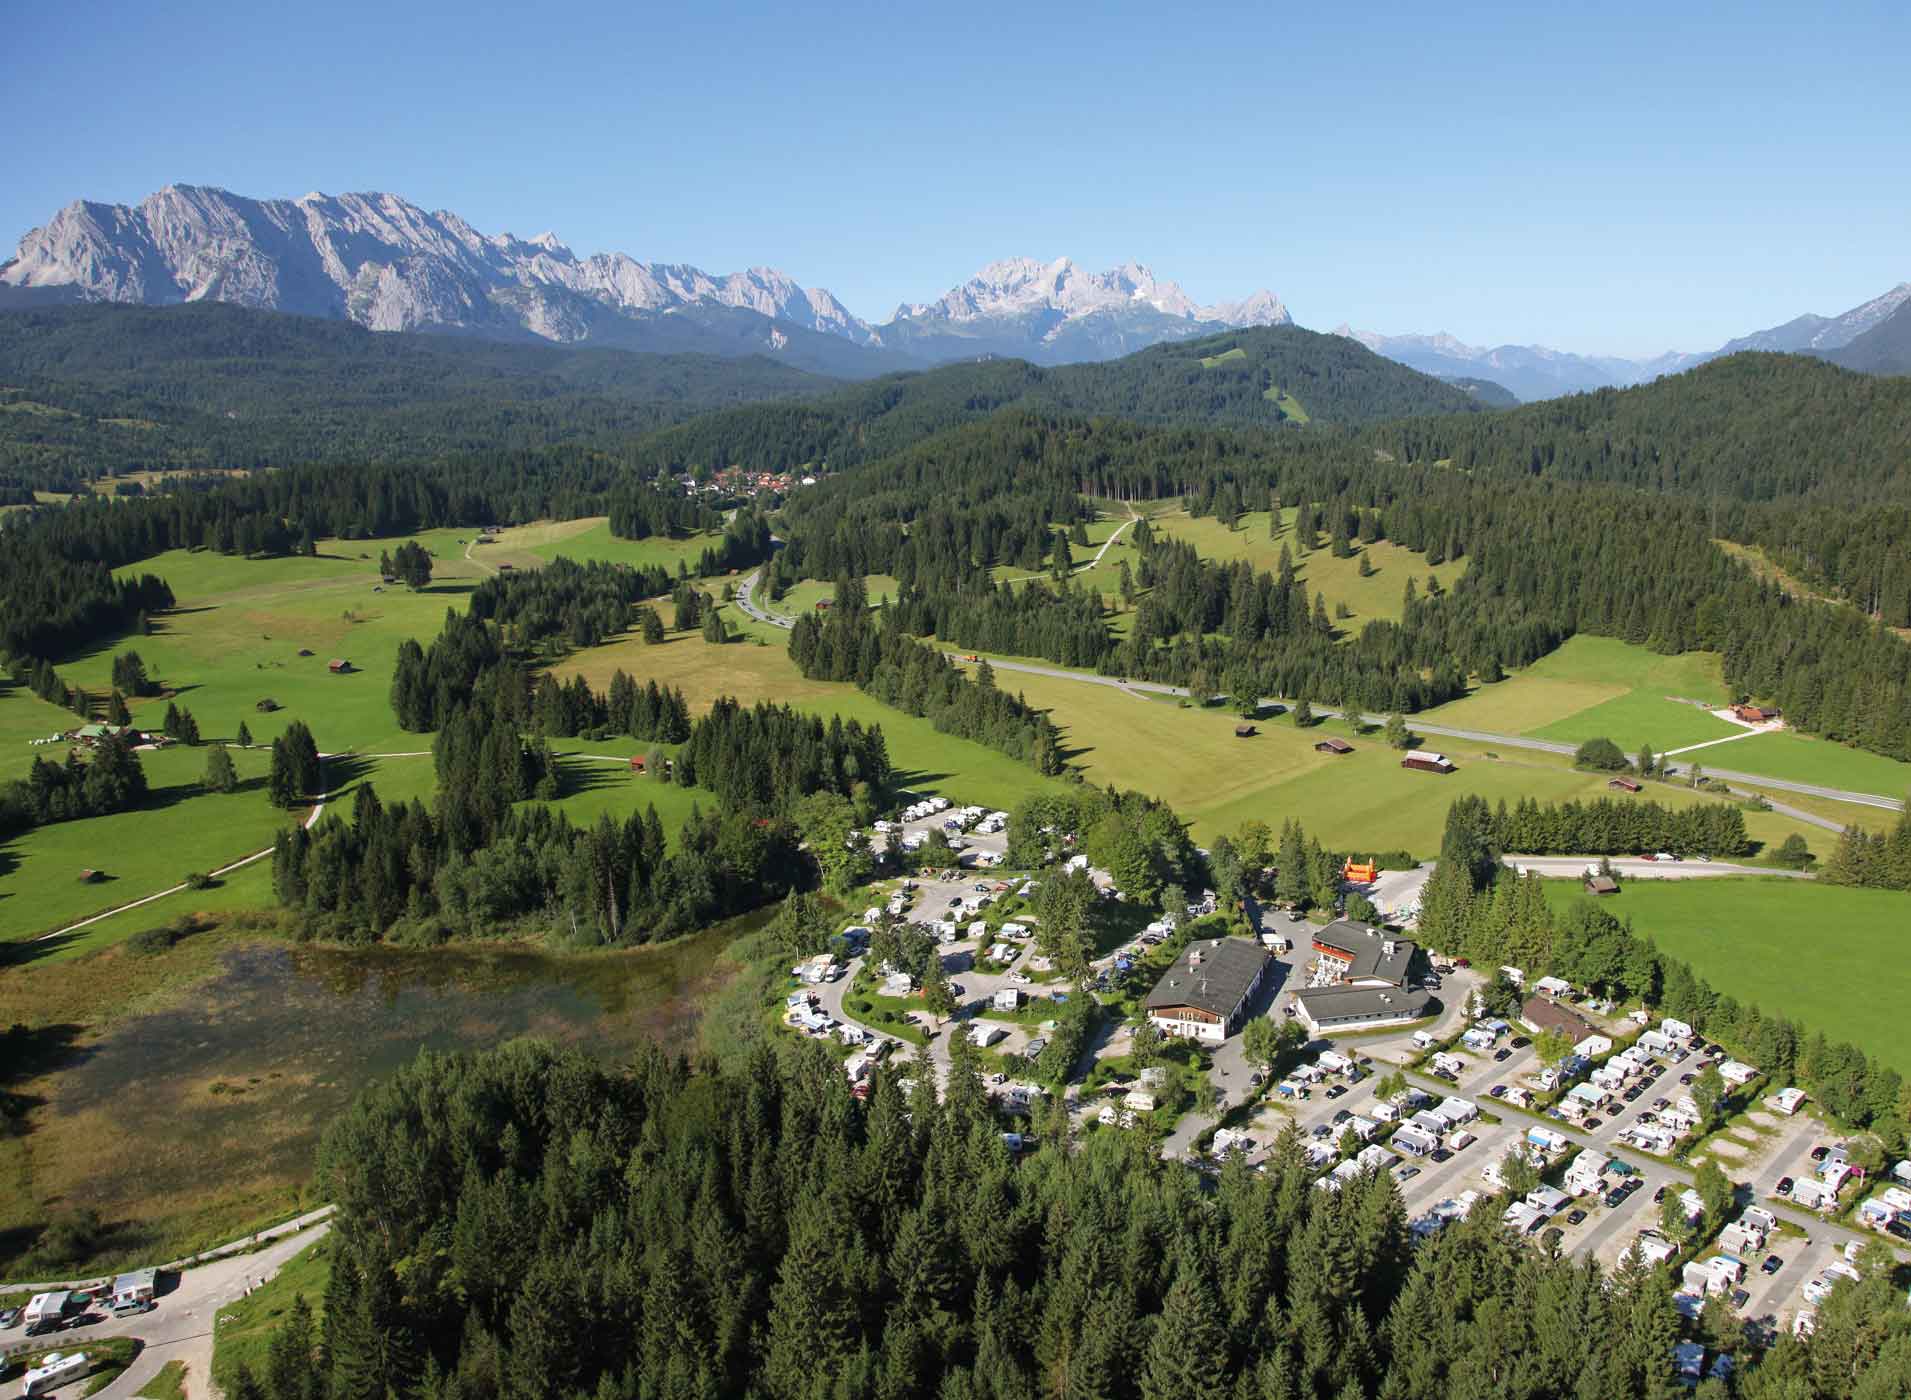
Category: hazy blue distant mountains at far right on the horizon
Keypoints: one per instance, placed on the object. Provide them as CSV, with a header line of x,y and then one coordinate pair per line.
x,y
1541,373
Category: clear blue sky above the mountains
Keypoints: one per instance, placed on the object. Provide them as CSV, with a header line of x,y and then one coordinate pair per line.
x,y
1621,180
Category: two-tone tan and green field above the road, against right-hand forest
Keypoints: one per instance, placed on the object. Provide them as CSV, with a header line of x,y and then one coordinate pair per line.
x,y
1589,673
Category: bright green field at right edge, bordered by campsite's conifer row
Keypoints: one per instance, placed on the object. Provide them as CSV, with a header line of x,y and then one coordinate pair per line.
x,y
1795,948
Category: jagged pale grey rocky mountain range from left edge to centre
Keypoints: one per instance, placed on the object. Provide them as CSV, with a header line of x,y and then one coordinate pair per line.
x,y
389,265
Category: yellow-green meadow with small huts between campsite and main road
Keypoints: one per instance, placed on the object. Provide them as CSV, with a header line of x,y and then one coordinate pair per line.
x,y
1362,801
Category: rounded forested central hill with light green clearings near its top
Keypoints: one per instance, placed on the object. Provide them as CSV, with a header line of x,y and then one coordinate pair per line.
x,y
1247,379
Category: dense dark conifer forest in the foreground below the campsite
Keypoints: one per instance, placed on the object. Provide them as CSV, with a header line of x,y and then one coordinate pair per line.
x,y
526,1223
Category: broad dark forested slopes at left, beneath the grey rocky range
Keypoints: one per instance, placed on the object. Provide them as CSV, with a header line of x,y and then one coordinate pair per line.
x,y
89,391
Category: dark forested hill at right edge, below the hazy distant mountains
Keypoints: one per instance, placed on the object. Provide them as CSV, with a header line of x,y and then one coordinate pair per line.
x,y
1751,427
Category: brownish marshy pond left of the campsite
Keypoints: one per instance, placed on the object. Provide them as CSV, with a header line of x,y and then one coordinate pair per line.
x,y
228,1093
